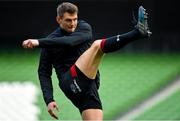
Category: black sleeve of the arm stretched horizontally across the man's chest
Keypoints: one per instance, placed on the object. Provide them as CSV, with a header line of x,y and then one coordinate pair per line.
x,y
82,33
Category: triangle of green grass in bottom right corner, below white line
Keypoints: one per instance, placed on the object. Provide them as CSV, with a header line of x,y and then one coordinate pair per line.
x,y
167,110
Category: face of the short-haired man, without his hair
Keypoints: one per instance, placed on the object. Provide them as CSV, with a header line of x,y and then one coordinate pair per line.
x,y
68,22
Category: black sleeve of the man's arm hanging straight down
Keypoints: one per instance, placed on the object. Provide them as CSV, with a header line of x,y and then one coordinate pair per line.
x,y
44,73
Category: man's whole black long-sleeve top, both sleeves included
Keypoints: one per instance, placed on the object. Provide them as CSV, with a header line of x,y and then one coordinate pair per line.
x,y
61,50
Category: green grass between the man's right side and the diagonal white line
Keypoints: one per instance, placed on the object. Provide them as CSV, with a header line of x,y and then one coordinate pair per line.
x,y
129,79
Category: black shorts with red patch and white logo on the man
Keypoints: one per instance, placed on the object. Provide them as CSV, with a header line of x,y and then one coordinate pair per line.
x,y
82,91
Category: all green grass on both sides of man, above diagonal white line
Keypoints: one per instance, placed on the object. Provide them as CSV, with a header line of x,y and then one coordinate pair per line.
x,y
126,79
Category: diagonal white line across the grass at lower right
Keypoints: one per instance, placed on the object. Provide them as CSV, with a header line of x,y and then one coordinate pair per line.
x,y
157,98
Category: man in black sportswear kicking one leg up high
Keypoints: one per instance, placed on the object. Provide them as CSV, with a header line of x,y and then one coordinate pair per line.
x,y
76,57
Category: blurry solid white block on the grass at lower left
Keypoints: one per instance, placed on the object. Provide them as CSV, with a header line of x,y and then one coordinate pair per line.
x,y
17,102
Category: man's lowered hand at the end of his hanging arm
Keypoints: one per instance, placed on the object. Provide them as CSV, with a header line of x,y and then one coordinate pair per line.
x,y
52,107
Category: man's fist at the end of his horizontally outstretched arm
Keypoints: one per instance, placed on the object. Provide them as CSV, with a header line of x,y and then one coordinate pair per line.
x,y
30,43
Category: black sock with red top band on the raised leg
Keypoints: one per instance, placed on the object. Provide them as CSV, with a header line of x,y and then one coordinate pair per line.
x,y
117,42
